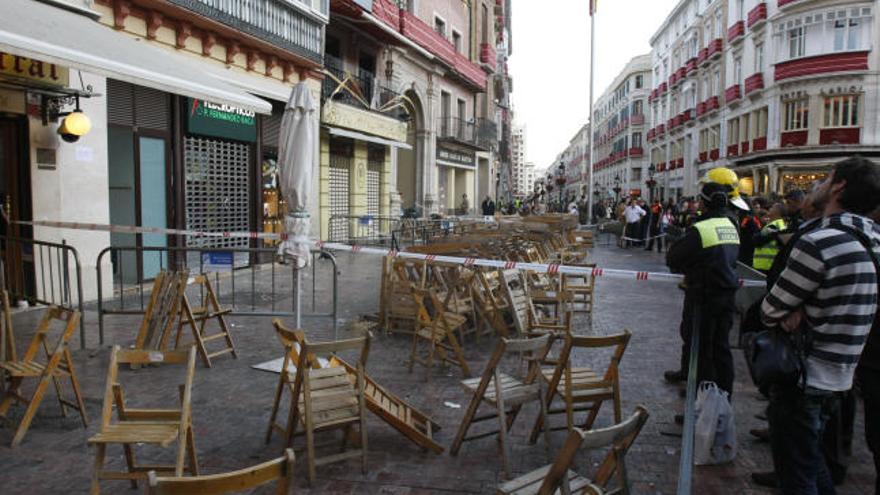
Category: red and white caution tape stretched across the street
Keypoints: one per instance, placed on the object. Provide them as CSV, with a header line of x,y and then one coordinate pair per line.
x,y
552,268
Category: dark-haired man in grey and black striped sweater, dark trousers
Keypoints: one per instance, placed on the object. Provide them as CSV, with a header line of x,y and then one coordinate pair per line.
x,y
828,290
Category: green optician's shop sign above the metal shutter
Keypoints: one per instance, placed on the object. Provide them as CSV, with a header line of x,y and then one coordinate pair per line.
x,y
218,120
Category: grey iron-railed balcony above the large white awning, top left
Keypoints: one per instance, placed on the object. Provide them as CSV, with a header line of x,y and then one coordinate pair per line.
x,y
290,24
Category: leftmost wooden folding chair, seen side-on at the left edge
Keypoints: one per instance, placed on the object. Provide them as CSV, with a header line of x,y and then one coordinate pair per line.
x,y
58,364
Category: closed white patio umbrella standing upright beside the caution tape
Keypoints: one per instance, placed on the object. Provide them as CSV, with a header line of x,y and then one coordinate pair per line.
x,y
296,154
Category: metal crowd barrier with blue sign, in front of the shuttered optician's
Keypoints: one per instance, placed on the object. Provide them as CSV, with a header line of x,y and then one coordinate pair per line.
x,y
130,292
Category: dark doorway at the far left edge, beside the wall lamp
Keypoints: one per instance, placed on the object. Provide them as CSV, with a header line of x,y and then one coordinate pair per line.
x,y
15,194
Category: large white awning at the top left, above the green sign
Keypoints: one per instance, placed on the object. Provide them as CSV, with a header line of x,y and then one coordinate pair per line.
x,y
42,32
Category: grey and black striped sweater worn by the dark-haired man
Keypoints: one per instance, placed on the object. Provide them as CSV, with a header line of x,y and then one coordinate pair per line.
x,y
831,277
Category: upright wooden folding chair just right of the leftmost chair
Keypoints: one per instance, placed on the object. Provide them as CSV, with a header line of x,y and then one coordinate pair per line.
x,y
161,427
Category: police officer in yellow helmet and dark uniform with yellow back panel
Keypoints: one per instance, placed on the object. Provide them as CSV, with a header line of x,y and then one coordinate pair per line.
x,y
707,256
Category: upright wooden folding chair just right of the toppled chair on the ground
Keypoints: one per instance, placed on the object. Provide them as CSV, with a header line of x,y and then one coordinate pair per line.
x,y
502,391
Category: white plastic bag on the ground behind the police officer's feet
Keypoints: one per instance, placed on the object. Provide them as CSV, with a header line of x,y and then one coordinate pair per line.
x,y
715,430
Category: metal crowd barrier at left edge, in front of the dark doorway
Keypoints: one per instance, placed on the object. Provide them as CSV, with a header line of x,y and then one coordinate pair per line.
x,y
55,277
